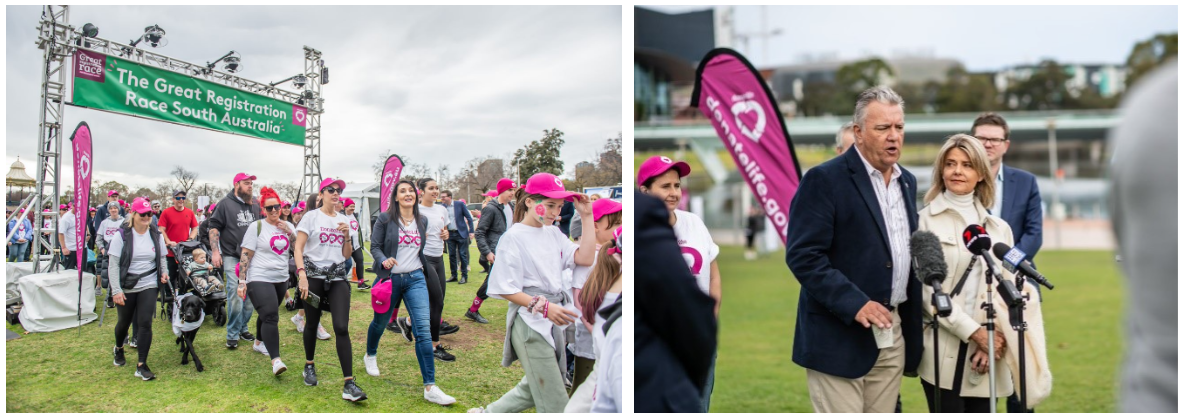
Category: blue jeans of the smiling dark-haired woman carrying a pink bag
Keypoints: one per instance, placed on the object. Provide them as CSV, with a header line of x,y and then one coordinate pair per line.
x,y
412,289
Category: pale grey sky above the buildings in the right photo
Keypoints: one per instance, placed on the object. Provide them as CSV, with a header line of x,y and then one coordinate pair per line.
x,y
983,37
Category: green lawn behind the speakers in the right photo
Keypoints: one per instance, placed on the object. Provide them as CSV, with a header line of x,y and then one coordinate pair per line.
x,y
755,372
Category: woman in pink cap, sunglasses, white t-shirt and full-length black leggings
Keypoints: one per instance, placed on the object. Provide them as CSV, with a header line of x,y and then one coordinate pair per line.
x,y
323,246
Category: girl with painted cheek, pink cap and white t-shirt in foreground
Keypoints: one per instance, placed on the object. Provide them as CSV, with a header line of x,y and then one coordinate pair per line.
x,y
533,256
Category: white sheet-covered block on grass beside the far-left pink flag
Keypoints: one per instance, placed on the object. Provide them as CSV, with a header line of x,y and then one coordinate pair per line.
x,y
52,301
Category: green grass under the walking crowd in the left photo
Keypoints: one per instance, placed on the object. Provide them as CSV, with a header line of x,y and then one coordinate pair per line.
x,y
73,372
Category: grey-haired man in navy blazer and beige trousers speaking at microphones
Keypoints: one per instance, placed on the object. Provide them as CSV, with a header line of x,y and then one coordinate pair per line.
x,y
859,320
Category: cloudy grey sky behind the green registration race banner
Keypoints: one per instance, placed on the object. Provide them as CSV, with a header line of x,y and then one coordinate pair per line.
x,y
433,85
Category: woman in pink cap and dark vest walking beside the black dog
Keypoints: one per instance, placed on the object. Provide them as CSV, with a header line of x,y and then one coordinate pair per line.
x,y
136,266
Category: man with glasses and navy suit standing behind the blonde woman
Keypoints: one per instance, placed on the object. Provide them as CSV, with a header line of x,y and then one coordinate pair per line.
x,y
1018,201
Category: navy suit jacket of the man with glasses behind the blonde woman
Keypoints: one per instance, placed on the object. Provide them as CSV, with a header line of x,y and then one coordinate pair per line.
x,y
1022,209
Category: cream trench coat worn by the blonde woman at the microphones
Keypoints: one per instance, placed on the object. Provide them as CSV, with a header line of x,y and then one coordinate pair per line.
x,y
948,225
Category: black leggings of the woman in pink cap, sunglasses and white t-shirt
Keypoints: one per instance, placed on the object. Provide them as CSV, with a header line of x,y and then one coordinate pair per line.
x,y
339,292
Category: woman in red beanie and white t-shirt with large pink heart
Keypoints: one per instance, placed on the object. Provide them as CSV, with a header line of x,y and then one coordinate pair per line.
x,y
265,265
